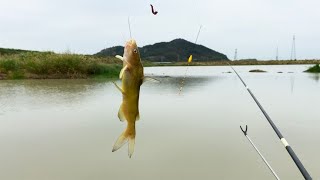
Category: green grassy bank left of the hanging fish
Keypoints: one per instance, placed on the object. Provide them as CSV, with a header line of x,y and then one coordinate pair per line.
x,y
48,65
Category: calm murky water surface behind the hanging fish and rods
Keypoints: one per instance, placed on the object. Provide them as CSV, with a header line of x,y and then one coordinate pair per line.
x,y
65,129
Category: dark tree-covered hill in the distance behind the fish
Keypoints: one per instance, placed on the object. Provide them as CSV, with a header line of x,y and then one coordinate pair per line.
x,y
175,50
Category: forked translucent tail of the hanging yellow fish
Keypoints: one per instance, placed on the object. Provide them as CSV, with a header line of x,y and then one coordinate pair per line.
x,y
127,136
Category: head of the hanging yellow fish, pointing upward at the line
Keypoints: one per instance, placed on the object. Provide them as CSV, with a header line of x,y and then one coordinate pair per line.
x,y
131,52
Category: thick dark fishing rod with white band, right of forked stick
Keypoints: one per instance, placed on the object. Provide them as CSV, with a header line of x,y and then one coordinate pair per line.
x,y
293,155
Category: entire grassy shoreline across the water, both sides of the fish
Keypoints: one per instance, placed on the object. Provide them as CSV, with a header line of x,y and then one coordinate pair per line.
x,y
48,65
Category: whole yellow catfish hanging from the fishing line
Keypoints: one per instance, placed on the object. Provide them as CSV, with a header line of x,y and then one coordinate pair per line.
x,y
132,78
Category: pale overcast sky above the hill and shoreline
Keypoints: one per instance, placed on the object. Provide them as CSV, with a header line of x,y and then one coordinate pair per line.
x,y
255,27
